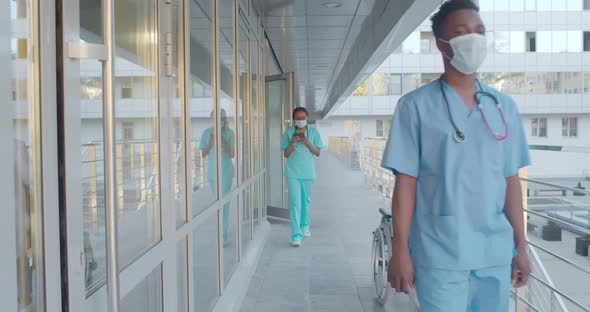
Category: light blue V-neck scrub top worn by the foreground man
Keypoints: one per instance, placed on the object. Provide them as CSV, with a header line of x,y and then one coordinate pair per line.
x,y
458,221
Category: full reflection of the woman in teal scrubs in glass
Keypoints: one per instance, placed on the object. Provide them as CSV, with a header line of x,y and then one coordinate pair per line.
x,y
207,145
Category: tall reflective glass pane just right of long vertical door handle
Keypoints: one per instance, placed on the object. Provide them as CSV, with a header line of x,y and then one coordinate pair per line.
x,y
136,111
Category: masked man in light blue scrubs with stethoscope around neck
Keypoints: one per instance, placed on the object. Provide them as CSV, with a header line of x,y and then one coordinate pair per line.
x,y
457,203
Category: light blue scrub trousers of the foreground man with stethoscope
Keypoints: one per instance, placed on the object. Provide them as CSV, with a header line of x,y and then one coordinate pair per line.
x,y
482,290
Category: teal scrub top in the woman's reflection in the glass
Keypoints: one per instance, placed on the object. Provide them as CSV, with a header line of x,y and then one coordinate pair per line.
x,y
227,166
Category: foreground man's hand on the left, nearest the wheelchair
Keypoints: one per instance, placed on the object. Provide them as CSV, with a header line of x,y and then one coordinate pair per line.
x,y
401,269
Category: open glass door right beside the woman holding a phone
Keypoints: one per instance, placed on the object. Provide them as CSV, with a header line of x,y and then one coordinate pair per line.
x,y
279,101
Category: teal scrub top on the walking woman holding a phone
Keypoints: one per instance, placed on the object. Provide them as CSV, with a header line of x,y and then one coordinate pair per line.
x,y
300,164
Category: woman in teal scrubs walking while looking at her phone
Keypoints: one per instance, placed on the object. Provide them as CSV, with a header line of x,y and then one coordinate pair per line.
x,y
300,144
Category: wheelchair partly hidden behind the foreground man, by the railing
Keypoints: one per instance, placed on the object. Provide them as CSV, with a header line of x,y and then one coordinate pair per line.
x,y
380,259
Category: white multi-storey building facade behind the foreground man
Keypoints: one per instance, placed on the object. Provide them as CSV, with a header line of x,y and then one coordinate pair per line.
x,y
539,53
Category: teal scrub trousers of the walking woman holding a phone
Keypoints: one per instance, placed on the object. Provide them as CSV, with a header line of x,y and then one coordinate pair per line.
x,y
299,200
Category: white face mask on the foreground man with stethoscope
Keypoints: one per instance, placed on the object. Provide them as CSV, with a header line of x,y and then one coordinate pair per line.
x,y
469,52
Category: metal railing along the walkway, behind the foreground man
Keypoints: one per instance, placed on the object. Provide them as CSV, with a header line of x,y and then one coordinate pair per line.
x,y
541,294
